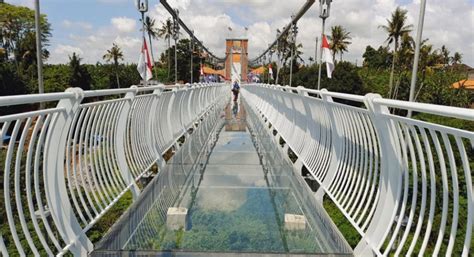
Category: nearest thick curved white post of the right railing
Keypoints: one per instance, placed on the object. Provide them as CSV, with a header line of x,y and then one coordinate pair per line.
x,y
390,179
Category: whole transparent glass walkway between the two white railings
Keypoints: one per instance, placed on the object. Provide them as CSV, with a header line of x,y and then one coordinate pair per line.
x,y
228,201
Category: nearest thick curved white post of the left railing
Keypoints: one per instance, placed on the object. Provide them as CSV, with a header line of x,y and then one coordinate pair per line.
x,y
55,182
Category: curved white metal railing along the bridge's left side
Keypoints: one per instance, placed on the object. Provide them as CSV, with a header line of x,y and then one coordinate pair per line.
x,y
65,166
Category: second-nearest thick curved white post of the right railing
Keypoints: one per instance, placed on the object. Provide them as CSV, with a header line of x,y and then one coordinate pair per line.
x,y
336,150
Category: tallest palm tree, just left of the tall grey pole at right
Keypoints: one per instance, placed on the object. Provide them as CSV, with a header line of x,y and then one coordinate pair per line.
x,y
395,28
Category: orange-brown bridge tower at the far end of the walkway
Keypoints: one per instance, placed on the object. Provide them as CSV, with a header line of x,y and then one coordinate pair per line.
x,y
236,65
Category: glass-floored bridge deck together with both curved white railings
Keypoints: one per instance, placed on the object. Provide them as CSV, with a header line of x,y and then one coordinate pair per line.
x,y
234,185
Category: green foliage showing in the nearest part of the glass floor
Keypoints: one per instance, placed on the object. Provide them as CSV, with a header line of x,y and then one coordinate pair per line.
x,y
255,226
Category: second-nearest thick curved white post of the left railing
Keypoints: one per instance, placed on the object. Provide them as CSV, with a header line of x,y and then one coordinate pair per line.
x,y
120,138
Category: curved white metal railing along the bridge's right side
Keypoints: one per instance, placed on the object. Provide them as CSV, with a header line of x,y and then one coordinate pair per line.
x,y
404,184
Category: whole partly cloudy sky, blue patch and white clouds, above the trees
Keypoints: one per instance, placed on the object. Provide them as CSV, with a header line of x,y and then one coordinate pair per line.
x,y
90,27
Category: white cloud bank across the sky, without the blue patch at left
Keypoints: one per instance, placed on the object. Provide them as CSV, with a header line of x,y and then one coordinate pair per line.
x,y
447,22
